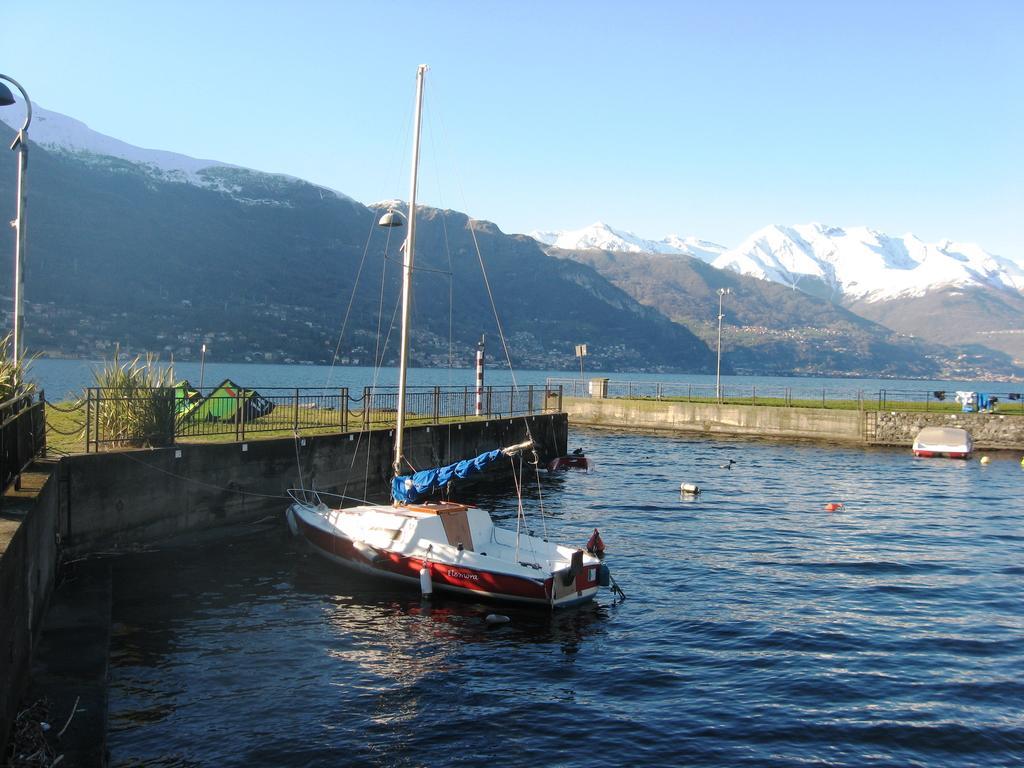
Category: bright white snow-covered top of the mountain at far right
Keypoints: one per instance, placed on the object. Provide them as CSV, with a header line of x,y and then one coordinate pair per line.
x,y
858,264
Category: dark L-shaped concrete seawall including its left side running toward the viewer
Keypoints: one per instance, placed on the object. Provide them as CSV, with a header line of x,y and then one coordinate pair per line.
x,y
116,501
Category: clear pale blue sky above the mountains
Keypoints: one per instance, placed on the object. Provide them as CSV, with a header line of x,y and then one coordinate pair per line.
x,y
710,119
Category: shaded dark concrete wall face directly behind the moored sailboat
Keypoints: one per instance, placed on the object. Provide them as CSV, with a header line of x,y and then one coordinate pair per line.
x,y
119,500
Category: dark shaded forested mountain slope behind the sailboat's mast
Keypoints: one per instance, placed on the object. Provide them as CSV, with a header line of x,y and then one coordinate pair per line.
x,y
260,267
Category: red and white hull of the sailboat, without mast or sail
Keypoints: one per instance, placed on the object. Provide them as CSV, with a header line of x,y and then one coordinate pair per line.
x,y
547,581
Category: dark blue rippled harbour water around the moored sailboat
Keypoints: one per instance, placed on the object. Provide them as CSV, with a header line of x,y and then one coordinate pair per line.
x,y
758,630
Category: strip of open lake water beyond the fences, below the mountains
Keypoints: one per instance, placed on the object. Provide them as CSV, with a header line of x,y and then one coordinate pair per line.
x,y
64,379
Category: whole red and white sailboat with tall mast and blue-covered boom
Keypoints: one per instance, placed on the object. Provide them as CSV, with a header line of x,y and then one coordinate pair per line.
x,y
443,545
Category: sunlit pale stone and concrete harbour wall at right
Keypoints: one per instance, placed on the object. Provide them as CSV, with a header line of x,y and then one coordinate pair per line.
x,y
990,432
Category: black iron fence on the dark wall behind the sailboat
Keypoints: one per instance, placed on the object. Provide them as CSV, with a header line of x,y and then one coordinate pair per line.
x,y
162,416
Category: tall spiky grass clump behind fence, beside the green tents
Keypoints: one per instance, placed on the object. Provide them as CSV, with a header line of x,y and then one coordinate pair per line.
x,y
136,404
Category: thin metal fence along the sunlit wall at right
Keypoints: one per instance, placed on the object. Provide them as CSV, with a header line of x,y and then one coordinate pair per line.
x,y
806,397
